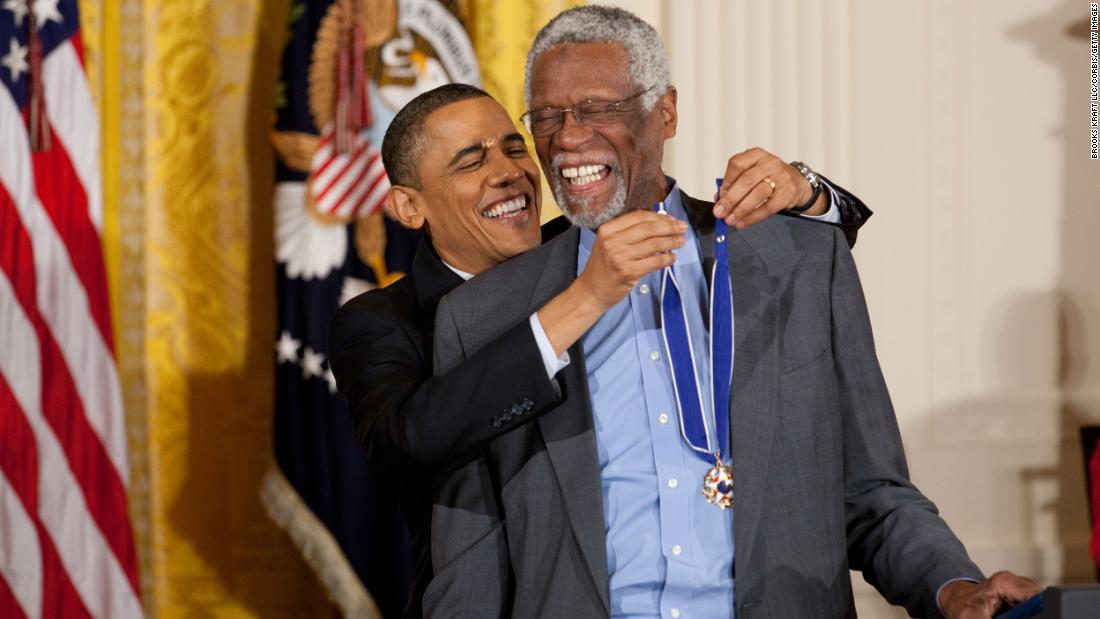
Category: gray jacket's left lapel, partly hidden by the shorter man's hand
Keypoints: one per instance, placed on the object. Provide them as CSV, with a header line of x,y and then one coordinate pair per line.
x,y
569,433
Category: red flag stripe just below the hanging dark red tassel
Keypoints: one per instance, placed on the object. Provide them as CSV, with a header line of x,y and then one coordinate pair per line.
x,y
64,200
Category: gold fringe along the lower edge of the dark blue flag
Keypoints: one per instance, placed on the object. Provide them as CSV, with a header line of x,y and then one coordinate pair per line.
x,y
317,547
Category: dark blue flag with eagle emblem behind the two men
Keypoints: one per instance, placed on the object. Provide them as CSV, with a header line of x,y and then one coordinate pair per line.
x,y
348,68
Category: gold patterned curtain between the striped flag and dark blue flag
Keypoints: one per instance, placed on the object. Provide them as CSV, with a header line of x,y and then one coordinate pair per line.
x,y
186,90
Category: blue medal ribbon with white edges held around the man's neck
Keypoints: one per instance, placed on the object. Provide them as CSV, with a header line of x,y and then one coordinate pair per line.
x,y
706,432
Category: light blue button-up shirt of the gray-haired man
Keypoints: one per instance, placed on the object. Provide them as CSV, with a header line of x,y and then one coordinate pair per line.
x,y
669,552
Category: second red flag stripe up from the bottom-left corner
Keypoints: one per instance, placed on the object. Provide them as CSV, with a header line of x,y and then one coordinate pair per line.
x,y
21,469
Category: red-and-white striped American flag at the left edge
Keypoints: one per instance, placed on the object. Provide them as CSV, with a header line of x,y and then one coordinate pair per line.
x,y
67,547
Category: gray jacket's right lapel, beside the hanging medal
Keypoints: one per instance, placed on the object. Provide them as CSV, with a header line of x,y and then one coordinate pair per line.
x,y
756,369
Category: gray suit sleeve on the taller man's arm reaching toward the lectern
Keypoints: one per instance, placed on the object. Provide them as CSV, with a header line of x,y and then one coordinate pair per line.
x,y
896,536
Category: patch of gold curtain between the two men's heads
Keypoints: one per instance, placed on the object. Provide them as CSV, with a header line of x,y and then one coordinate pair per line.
x,y
502,32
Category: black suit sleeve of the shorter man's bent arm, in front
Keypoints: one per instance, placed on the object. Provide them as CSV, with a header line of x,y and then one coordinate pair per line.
x,y
404,415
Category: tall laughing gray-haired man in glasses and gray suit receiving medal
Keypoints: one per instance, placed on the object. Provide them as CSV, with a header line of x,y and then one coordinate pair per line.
x,y
665,468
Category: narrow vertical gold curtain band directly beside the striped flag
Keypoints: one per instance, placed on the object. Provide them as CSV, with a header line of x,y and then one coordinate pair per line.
x,y
115,51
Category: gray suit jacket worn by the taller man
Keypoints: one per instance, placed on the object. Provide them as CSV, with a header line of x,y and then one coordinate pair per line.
x,y
821,482
